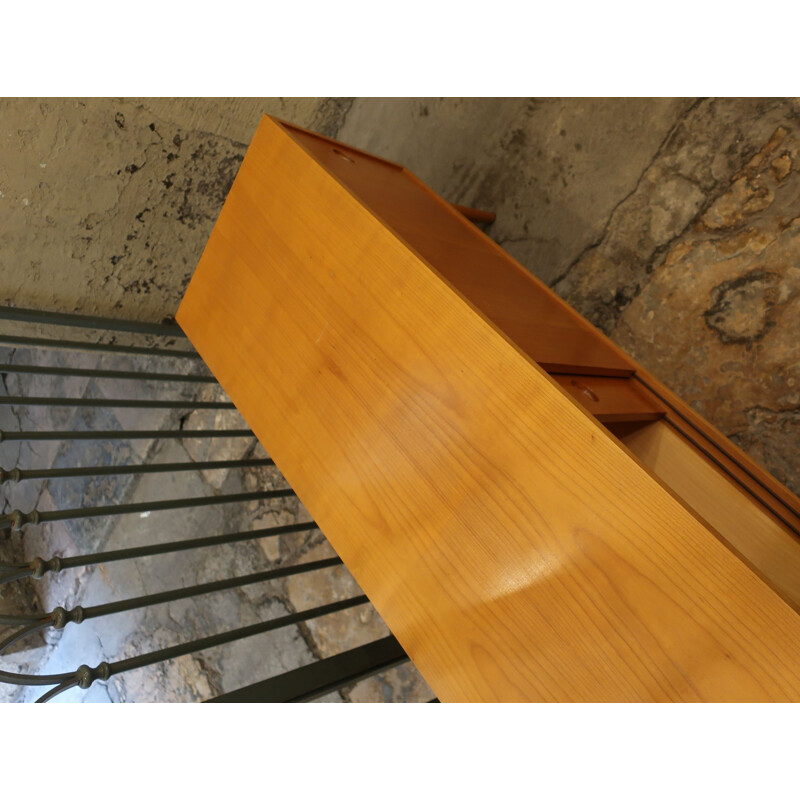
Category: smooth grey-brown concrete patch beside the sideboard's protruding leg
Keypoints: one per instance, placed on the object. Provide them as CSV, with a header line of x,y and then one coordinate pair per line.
x,y
552,169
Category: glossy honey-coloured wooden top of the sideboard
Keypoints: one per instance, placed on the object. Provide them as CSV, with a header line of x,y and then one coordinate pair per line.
x,y
511,544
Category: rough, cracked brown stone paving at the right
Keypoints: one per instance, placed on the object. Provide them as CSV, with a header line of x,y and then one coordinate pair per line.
x,y
711,302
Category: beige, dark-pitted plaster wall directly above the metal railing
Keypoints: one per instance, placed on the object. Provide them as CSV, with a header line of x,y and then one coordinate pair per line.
x,y
106,206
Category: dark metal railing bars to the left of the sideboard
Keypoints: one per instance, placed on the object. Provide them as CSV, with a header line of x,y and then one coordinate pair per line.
x,y
301,684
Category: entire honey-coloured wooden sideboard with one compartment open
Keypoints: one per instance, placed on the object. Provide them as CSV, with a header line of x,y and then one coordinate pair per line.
x,y
533,515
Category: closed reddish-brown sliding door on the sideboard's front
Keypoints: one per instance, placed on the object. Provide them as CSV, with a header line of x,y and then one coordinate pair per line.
x,y
517,303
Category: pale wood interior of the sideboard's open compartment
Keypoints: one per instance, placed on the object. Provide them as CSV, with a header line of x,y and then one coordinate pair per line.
x,y
769,546
